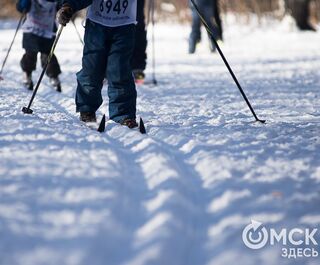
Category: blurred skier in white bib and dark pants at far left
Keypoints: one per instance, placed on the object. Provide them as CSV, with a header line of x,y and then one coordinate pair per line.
x,y
38,36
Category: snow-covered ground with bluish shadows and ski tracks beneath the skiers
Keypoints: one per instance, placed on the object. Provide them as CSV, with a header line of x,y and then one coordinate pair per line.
x,y
184,193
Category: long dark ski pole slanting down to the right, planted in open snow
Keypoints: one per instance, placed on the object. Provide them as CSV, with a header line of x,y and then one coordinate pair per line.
x,y
225,61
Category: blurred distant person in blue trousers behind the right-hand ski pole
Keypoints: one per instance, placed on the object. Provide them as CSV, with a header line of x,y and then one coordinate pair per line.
x,y
208,10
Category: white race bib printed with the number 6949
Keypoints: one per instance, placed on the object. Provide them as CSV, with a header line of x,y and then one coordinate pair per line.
x,y
113,13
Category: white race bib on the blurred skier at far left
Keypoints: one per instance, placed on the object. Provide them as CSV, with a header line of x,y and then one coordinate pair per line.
x,y
41,18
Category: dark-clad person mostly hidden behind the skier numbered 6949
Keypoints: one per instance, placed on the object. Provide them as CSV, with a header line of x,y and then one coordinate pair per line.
x,y
139,58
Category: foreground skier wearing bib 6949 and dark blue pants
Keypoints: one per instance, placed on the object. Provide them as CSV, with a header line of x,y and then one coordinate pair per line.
x,y
109,41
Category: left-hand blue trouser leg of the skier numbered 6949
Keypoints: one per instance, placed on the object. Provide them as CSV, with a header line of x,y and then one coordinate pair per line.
x,y
90,78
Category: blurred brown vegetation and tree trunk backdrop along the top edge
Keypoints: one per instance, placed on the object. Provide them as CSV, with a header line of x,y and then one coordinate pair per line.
x,y
306,13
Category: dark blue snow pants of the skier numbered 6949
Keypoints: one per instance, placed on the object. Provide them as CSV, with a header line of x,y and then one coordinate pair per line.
x,y
107,53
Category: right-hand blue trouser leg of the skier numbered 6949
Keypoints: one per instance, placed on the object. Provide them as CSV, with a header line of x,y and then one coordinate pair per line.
x,y
122,92
